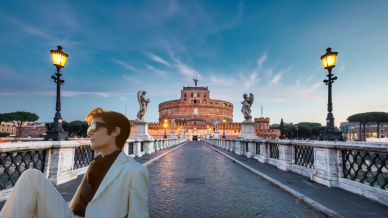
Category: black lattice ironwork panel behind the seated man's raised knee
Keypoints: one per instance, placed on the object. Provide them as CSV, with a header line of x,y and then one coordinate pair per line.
x,y
13,164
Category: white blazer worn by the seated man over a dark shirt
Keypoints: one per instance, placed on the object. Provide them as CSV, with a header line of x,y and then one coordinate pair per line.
x,y
123,192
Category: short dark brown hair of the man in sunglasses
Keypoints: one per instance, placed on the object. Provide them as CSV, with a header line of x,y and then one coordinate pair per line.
x,y
112,119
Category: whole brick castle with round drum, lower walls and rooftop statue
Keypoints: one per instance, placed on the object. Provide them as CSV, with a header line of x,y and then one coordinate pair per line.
x,y
194,114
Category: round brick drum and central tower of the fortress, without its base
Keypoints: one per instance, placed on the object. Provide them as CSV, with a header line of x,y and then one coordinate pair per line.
x,y
196,106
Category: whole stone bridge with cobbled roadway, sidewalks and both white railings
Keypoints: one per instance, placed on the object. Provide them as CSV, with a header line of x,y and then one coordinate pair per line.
x,y
228,178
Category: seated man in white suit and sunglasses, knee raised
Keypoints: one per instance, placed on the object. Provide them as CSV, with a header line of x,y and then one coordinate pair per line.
x,y
113,186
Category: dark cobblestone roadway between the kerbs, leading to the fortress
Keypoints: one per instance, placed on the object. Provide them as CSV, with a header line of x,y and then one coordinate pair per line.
x,y
196,181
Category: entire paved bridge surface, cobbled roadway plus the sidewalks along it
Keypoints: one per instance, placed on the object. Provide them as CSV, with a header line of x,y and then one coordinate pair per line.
x,y
198,180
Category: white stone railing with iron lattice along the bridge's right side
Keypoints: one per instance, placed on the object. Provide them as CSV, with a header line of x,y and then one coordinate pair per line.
x,y
358,167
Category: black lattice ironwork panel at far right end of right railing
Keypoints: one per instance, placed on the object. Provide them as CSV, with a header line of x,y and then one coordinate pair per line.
x,y
366,167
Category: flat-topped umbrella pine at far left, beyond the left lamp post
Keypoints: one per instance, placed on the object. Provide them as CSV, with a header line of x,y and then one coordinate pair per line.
x,y
19,118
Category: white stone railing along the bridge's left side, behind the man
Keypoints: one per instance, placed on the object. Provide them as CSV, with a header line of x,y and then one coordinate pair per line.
x,y
61,161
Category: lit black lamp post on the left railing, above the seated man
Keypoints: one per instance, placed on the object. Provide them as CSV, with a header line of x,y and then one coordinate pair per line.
x,y
56,132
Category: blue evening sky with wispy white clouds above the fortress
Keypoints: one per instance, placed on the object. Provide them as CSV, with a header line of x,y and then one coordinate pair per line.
x,y
269,48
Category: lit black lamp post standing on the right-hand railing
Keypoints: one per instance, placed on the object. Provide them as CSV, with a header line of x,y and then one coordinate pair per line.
x,y
328,62
